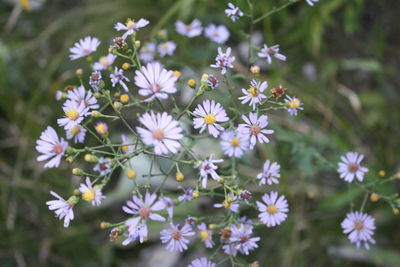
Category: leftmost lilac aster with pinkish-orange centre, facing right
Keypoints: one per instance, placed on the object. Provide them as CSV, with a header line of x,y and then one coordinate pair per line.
x,y
51,148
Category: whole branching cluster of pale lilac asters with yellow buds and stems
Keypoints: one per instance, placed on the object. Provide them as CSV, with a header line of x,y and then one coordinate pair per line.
x,y
161,134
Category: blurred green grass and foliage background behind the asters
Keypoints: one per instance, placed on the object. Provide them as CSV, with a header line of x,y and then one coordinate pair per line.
x,y
343,62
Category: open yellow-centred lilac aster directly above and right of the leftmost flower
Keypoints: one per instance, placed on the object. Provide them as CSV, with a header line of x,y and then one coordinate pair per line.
x,y
74,114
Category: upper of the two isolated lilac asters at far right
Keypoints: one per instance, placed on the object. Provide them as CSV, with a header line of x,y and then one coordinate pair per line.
x,y
350,168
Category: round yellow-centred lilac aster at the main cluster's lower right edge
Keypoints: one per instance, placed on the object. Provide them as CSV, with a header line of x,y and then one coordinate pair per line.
x,y
273,210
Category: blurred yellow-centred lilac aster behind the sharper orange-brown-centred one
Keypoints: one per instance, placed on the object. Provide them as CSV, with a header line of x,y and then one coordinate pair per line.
x,y
233,143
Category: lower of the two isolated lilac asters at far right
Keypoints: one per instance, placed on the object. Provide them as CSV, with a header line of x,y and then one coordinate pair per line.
x,y
360,228
